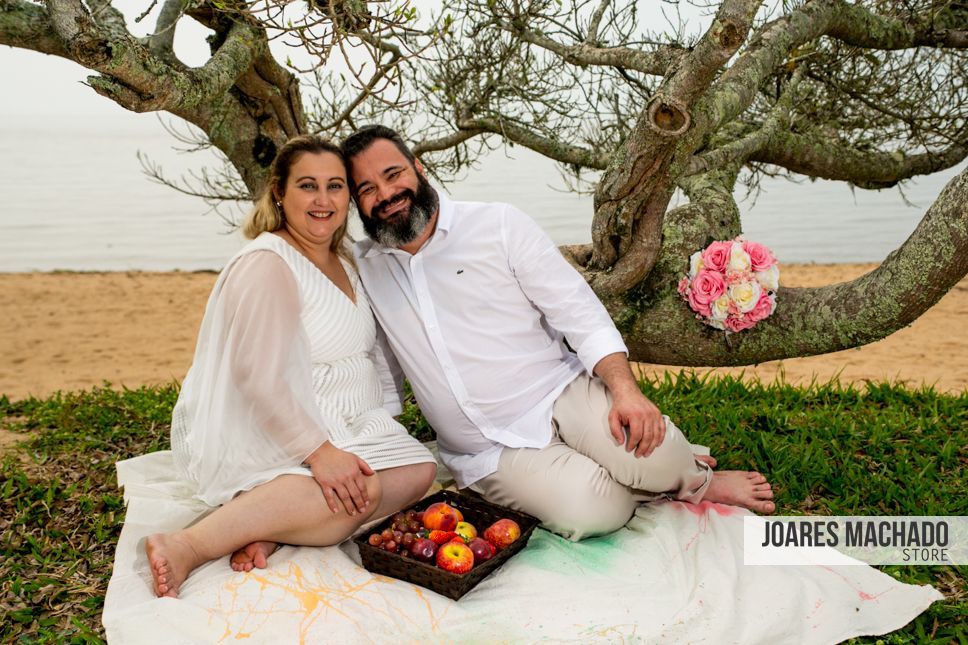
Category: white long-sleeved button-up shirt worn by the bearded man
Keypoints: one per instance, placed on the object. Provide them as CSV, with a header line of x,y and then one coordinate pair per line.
x,y
477,319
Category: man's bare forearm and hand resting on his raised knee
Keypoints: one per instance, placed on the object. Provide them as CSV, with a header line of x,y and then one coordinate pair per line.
x,y
631,411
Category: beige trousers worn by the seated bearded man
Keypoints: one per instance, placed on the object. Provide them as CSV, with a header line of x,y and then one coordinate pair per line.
x,y
583,484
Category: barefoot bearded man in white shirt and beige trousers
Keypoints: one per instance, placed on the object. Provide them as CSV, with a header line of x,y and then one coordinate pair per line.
x,y
476,302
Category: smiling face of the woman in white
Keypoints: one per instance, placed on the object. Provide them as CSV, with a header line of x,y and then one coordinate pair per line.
x,y
317,198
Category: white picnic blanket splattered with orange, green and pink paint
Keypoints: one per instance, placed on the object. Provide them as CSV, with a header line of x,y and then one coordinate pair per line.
x,y
674,574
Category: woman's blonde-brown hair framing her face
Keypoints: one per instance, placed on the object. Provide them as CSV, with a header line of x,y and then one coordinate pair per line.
x,y
266,215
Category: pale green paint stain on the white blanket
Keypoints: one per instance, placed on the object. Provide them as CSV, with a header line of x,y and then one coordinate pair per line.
x,y
551,552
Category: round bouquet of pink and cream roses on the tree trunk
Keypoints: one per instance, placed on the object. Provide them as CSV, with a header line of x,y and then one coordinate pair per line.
x,y
732,284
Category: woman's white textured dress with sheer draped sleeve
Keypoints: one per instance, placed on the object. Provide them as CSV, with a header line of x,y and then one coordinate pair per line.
x,y
283,363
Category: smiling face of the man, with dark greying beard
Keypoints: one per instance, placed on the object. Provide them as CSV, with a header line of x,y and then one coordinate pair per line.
x,y
395,200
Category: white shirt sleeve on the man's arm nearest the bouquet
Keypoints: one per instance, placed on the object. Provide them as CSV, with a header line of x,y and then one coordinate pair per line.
x,y
559,291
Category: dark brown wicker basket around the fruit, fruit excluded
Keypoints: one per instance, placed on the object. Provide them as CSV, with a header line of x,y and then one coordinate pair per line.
x,y
478,512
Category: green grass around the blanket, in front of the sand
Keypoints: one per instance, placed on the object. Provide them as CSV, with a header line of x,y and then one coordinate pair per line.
x,y
829,450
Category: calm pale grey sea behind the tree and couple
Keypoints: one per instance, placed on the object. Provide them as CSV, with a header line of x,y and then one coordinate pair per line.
x,y
75,198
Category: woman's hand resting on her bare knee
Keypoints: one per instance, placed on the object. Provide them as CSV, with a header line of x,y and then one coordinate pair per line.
x,y
341,475
